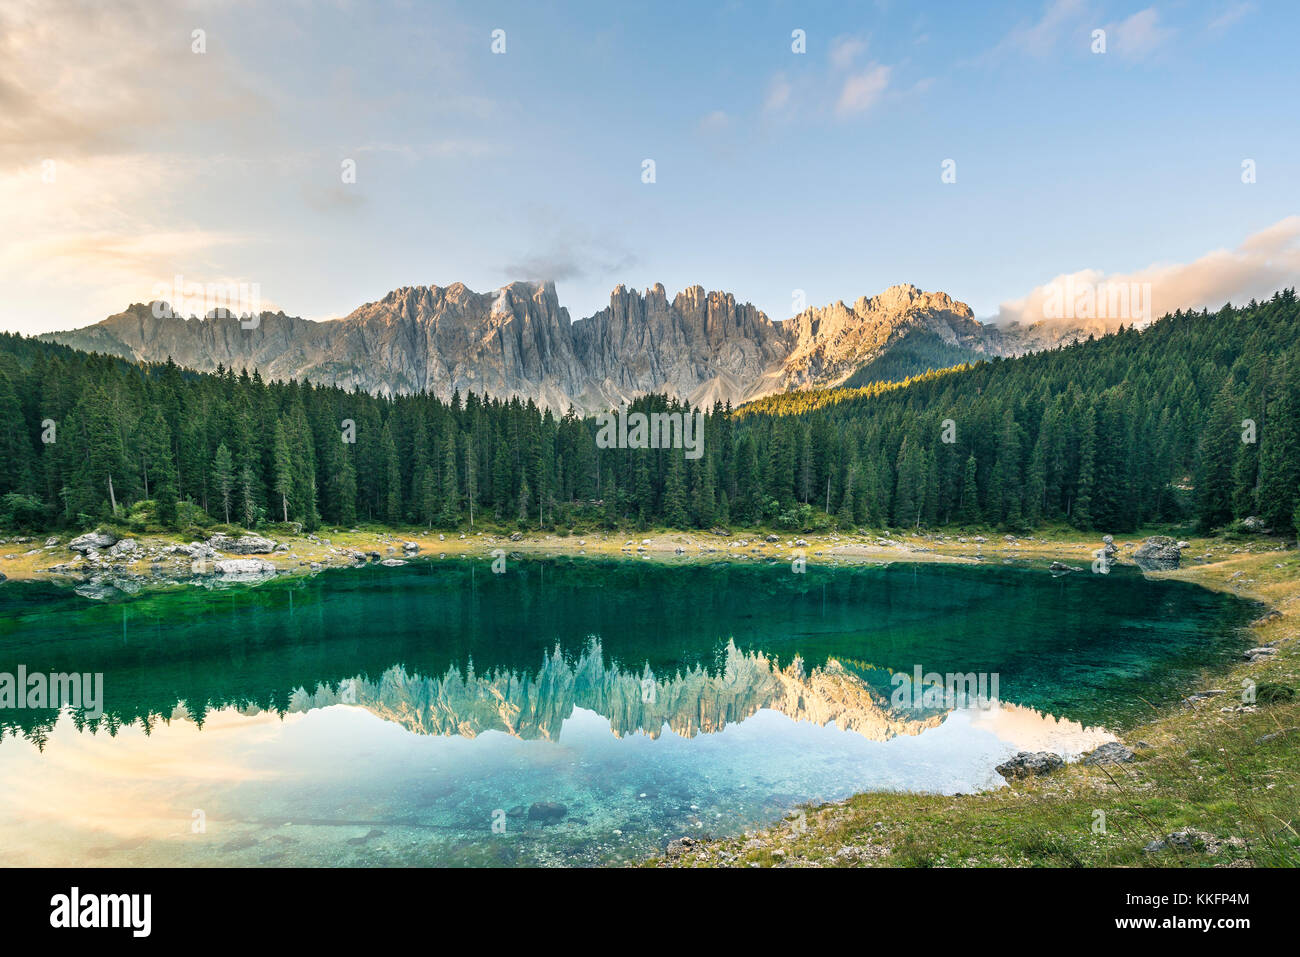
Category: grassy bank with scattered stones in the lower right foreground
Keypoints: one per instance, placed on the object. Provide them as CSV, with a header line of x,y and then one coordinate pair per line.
x,y
1215,782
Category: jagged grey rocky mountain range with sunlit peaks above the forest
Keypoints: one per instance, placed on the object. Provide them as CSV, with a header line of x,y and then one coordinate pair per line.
x,y
519,341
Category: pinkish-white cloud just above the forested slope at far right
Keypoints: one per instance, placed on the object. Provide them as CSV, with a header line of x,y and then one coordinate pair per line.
x,y
1260,266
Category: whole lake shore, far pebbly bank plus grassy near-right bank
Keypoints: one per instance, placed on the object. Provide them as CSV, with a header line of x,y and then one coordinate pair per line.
x,y
1223,773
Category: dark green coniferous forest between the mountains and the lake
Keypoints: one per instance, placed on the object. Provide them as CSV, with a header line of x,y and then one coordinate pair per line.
x,y
1195,418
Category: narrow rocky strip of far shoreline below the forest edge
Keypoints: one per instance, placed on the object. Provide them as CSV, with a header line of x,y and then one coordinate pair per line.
x,y
103,565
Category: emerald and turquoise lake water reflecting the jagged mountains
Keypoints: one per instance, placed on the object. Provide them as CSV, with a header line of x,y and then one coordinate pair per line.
x,y
393,716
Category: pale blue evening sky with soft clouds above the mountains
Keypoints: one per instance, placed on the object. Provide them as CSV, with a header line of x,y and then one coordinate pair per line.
x,y
983,150
